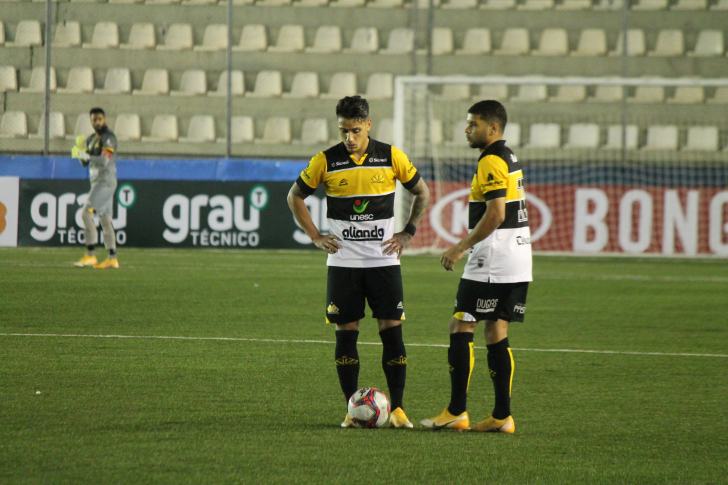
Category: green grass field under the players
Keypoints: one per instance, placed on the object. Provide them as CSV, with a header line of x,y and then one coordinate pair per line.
x,y
238,397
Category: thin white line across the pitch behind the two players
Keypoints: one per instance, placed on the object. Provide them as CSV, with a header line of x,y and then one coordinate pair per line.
x,y
240,339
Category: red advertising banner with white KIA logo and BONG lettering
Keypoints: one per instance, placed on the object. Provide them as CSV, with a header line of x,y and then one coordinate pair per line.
x,y
594,219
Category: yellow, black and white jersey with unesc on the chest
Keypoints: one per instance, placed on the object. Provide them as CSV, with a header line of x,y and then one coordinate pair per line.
x,y
360,199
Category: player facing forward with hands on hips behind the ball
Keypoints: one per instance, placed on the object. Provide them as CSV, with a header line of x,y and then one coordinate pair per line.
x,y
360,176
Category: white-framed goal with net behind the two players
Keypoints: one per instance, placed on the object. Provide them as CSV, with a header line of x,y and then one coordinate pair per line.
x,y
611,165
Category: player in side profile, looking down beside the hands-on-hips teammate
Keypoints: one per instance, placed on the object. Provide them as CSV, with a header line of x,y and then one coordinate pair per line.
x,y
495,280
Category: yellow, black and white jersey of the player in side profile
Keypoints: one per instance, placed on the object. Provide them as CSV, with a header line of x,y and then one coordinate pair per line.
x,y
505,255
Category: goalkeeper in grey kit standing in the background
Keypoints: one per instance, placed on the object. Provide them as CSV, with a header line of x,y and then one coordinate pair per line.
x,y
98,152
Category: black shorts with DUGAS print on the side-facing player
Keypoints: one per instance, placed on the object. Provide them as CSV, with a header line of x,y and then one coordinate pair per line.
x,y
478,301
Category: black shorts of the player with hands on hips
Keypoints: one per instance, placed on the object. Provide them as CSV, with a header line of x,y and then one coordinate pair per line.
x,y
347,288
